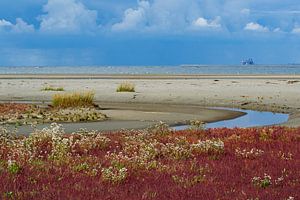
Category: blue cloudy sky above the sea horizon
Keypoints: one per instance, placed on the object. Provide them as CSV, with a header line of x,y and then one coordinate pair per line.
x,y
148,32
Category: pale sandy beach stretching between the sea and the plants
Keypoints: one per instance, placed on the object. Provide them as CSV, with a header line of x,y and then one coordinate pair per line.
x,y
167,98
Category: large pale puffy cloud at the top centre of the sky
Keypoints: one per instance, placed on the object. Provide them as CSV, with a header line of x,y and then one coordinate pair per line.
x,y
159,15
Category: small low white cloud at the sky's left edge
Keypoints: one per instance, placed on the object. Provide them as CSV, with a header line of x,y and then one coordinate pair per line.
x,y
20,27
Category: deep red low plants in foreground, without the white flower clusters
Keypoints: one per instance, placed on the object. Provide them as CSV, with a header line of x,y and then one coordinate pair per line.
x,y
227,174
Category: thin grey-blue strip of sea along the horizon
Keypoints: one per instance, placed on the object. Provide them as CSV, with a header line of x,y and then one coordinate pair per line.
x,y
159,70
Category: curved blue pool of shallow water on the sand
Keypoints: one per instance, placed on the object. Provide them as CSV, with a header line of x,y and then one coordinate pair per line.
x,y
251,119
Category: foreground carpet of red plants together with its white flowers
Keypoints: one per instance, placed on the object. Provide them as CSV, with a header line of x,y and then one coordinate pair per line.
x,y
157,163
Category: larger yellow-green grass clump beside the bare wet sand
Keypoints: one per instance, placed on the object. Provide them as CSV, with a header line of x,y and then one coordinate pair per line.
x,y
76,99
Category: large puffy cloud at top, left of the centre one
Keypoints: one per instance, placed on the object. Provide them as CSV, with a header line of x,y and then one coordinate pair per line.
x,y
65,16
